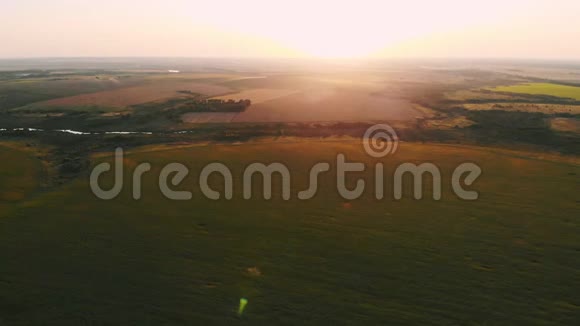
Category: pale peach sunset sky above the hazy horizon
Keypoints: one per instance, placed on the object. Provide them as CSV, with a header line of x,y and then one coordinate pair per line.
x,y
539,29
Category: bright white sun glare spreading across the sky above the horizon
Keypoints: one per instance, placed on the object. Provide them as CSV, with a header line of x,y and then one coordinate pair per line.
x,y
346,30
